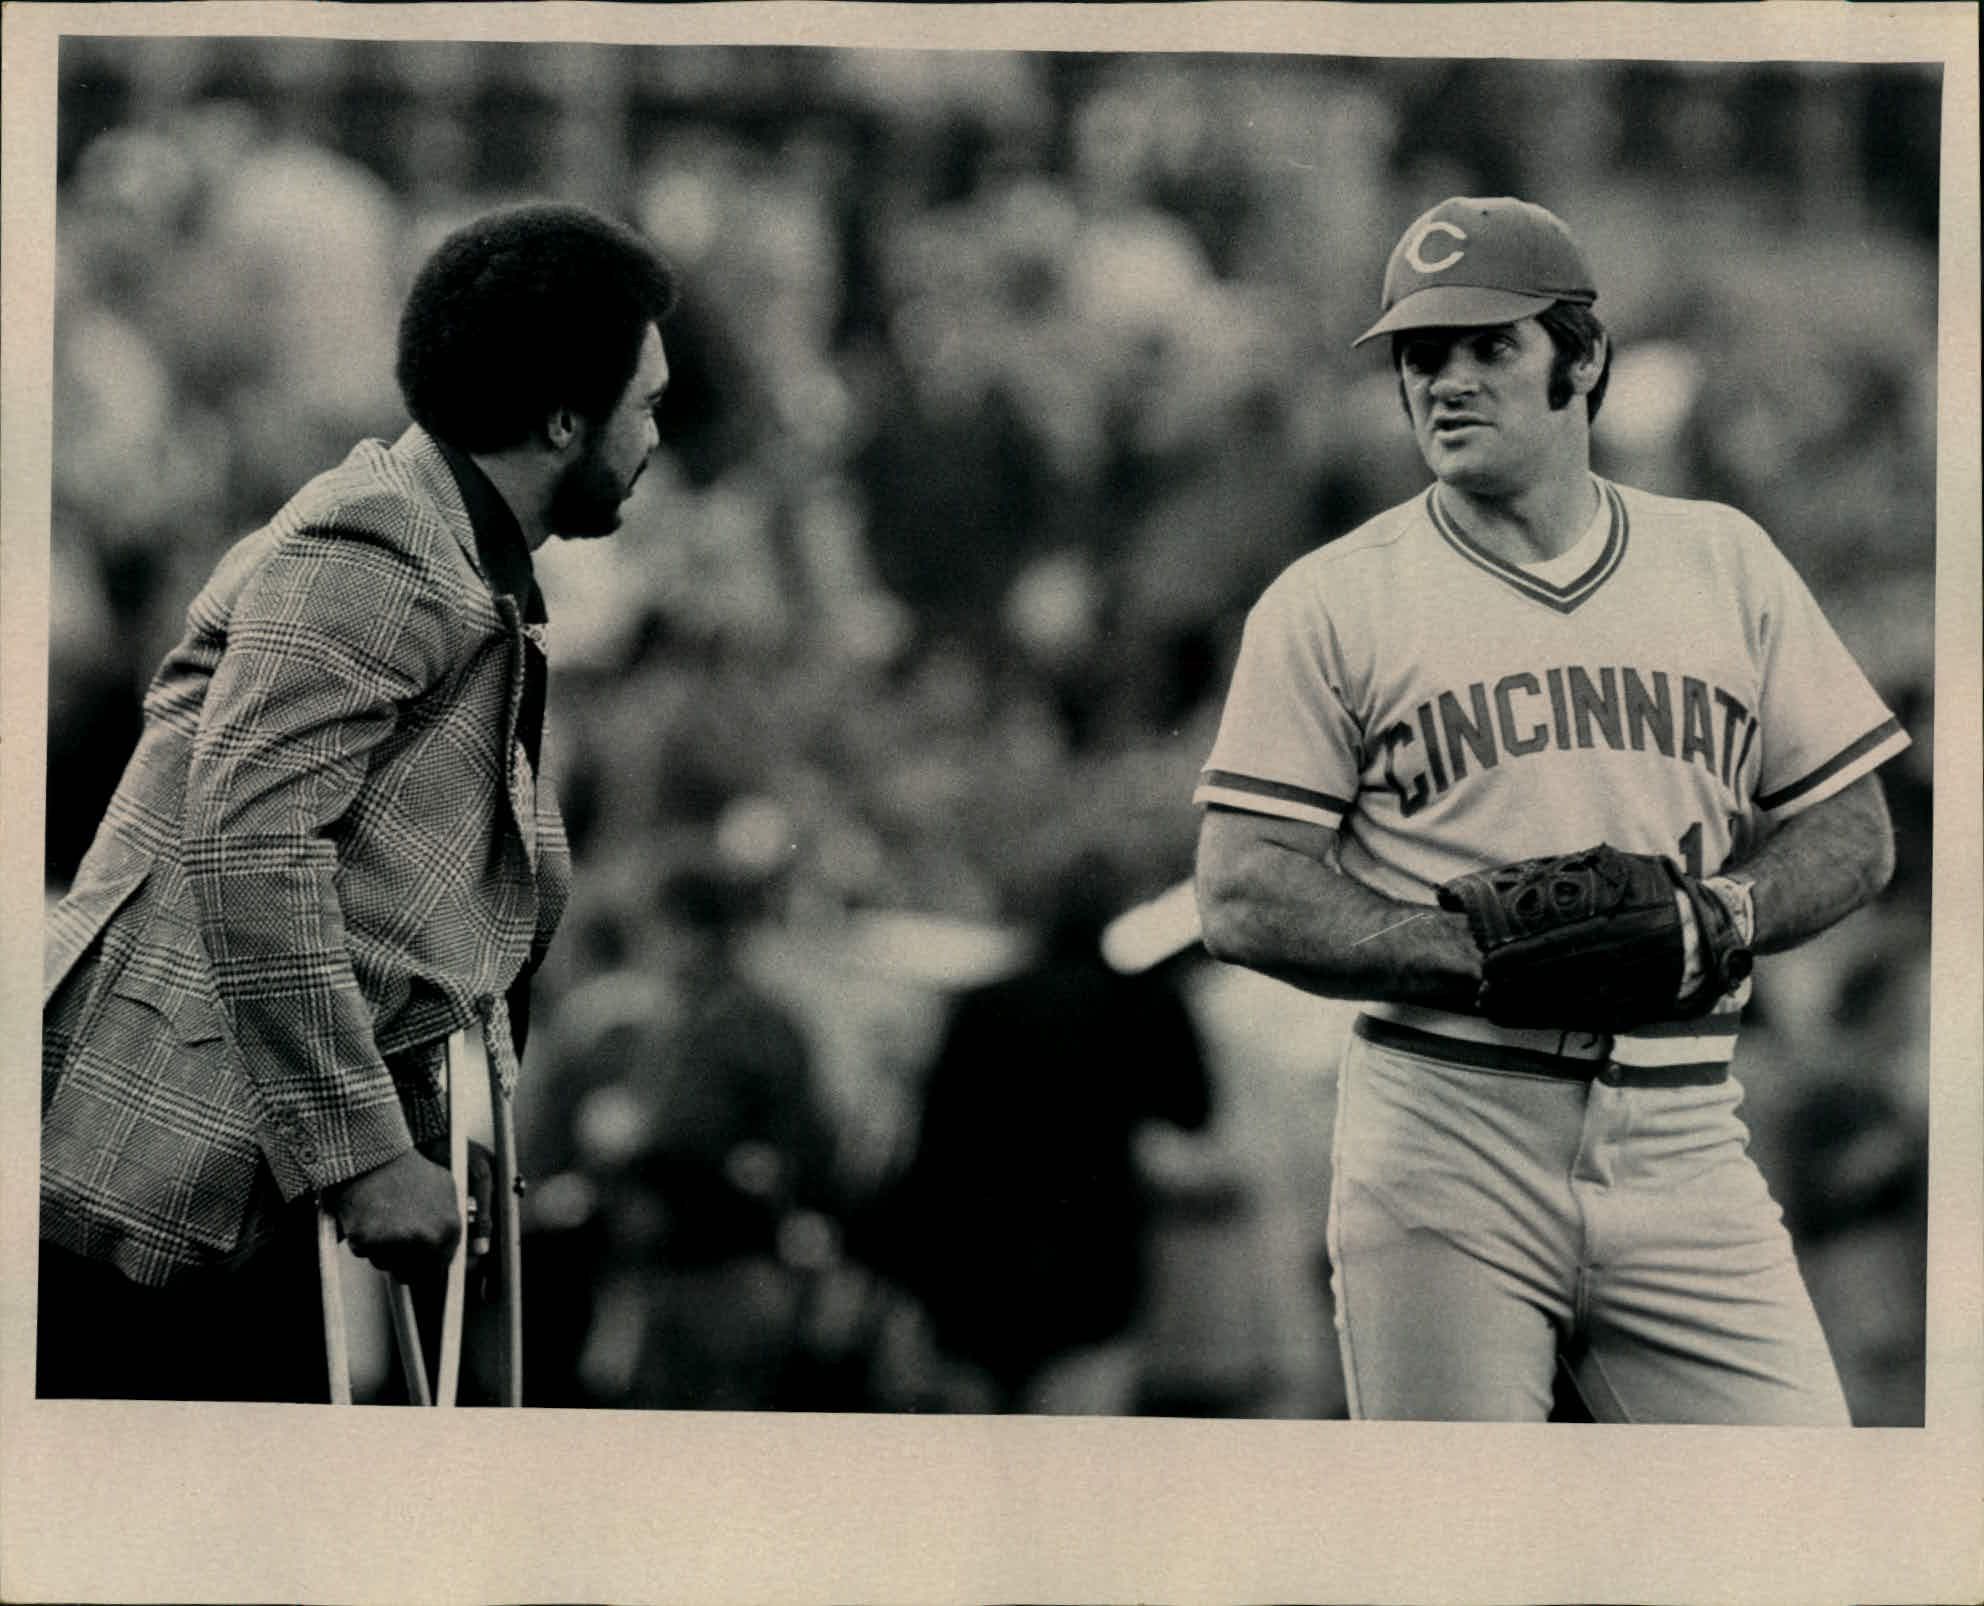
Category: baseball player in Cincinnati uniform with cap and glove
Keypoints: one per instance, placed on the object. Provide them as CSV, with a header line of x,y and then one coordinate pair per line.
x,y
1535,763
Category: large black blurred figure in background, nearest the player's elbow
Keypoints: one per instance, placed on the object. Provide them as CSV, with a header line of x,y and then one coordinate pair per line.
x,y
1021,1218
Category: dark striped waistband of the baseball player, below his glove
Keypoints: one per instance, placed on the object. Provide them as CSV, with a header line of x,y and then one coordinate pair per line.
x,y
1670,1055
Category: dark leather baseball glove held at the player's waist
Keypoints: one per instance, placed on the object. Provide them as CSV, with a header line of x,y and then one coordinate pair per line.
x,y
1596,940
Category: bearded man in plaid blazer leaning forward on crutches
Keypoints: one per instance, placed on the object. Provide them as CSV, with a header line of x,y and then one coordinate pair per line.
x,y
334,849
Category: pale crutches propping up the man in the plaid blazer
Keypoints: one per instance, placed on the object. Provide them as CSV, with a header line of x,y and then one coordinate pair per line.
x,y
505,1204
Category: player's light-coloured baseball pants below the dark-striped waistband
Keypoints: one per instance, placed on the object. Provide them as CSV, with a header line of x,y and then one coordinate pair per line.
x,y
1485,1224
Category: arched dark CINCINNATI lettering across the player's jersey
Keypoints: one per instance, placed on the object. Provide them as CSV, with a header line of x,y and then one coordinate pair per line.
x,y
1572,708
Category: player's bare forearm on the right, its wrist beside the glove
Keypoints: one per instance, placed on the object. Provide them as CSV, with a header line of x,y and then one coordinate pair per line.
x,y
1820,867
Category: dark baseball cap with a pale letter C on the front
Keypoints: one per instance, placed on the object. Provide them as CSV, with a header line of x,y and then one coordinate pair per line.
x,y
1481,261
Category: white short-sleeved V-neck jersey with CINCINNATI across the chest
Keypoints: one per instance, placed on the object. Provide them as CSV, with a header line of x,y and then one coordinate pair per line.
x,y
1445,710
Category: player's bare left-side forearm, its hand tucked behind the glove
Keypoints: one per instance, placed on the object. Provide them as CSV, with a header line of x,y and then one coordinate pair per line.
x,y
1283,912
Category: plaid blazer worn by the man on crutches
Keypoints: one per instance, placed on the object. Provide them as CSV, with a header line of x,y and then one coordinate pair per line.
x,y
326,855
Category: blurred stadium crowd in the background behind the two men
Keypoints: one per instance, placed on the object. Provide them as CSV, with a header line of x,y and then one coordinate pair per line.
x,y
1003,384
